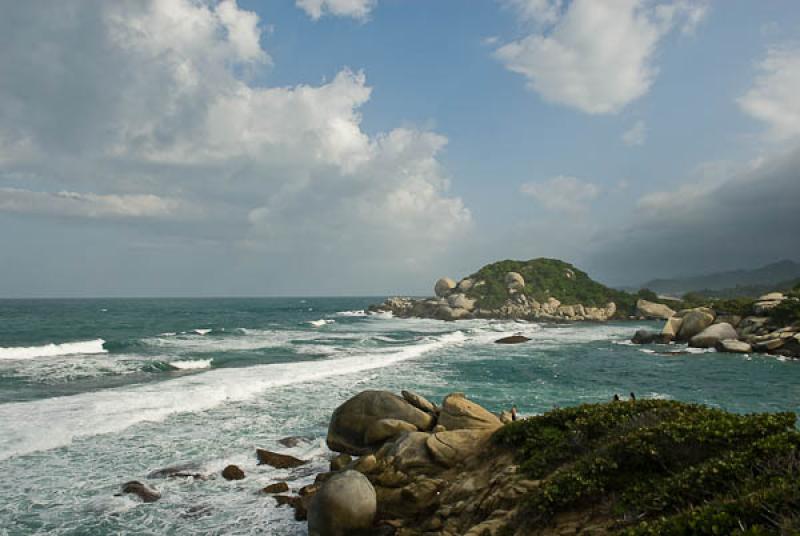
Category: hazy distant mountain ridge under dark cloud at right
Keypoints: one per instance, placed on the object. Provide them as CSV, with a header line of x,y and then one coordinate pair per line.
x,y
748,281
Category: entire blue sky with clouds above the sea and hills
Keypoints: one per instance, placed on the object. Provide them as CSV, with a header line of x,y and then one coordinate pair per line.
x,y
369,147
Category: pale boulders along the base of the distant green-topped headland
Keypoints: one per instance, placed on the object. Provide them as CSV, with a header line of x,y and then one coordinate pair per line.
x,y
453,302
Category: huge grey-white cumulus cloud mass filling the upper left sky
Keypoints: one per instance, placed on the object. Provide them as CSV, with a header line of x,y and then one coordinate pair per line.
x,y
143,106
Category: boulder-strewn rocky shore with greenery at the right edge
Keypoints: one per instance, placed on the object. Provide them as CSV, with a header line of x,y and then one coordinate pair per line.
x,y
769,324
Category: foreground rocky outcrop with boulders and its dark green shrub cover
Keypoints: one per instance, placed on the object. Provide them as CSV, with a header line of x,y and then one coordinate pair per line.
x,y
648,467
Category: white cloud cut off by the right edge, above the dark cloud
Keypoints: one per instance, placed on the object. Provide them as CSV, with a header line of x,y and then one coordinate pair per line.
x,y
775,95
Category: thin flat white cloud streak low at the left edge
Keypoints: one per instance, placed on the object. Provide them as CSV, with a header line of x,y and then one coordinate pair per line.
x,y
95,206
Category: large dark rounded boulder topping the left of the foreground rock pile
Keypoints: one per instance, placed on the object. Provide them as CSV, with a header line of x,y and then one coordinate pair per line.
x,y
350,422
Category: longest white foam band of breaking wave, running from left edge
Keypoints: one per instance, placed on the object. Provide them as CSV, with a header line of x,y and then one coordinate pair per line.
x,y
113,410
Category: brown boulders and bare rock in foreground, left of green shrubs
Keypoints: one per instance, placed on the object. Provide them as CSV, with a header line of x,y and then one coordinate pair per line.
x,y
410,467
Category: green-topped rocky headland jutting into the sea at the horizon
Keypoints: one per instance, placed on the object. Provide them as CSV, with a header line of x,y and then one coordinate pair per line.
x,y
538,289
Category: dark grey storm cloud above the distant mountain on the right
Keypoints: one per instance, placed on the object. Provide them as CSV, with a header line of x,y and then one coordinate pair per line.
x,y
730,215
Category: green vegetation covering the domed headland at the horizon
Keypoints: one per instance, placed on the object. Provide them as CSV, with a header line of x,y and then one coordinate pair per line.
x,y
545,278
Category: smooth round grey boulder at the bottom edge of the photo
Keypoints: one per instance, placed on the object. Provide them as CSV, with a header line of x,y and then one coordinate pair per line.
x,y
345,505
